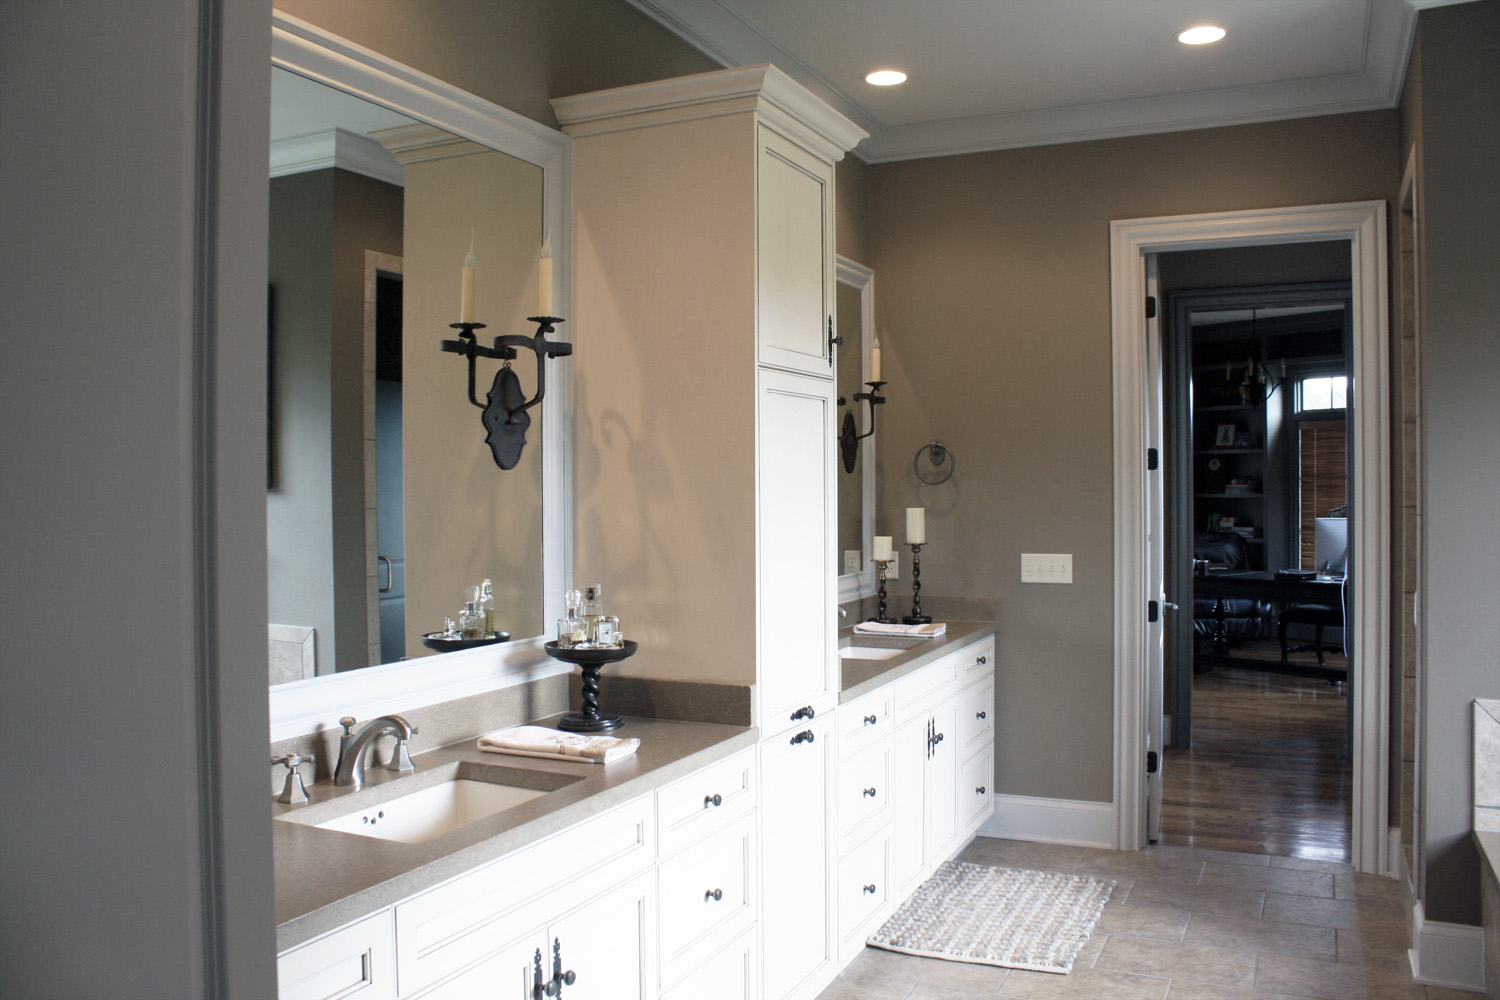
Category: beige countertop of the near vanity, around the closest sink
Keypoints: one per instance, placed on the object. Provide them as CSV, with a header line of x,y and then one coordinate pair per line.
x,y
326,879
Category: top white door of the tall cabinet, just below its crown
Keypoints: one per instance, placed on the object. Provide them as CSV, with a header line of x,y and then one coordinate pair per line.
x,y
793,256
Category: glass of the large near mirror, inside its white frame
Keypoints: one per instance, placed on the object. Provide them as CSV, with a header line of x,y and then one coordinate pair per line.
x,y
368,238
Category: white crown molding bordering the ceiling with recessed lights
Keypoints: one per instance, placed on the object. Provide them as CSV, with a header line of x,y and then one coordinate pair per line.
x,y
731,41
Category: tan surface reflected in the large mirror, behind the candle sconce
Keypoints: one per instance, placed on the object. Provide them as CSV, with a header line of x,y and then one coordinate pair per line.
x,y
466,518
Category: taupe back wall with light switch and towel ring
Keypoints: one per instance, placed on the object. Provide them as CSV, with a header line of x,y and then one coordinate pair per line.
x,y
994,301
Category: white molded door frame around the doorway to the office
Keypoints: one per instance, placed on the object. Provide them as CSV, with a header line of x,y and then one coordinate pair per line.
x,y
1364,226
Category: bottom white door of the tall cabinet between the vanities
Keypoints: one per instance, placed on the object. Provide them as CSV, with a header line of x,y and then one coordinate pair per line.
x,y
796,825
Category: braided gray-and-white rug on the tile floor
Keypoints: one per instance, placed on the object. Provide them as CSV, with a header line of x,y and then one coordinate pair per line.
x,y
998,917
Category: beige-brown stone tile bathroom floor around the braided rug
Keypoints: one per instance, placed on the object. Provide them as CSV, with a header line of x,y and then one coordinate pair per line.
x,y
1187,924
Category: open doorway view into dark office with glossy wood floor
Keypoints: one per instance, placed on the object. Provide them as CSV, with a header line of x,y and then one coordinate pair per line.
x,y
1256,364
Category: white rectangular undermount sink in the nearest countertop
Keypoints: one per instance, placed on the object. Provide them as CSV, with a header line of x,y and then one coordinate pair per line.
x,y
466,795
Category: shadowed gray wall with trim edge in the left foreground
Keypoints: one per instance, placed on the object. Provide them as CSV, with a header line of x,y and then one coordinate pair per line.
x,y
136,840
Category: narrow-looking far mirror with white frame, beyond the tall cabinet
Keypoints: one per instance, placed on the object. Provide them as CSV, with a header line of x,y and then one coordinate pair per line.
x,y
856,310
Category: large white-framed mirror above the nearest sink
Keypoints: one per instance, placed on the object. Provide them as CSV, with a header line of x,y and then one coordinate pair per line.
x,y
383,500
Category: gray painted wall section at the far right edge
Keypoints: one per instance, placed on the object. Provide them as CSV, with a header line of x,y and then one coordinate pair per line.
x,y
1460,349
